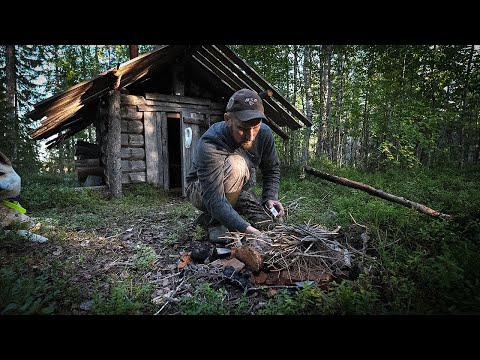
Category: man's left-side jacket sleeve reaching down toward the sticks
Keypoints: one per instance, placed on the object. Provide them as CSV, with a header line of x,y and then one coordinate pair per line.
x,y
211,175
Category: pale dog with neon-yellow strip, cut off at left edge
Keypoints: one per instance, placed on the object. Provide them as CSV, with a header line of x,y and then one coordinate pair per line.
x,y
10,187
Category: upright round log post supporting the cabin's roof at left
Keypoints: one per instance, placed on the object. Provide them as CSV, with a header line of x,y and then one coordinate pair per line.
x,y
114,165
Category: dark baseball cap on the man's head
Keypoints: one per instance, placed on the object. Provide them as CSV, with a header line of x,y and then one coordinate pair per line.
x,y
246,104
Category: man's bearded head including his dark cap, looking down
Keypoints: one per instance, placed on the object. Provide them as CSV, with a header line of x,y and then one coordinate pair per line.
x,y
244,114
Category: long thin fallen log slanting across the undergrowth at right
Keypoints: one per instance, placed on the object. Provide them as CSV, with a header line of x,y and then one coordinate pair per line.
x,y
376,192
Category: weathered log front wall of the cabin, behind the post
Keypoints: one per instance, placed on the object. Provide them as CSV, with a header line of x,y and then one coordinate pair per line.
x,y
146,137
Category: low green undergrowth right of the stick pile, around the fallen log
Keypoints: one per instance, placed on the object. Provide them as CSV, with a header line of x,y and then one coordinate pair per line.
x,y
423,264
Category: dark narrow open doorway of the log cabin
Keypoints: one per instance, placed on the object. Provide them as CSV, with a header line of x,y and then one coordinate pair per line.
x,y
174,151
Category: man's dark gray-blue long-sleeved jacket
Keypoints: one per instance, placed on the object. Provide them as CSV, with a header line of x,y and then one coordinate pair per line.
x,y
212,149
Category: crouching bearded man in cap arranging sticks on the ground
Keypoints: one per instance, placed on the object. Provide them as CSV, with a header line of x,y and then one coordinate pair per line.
x,y
223,170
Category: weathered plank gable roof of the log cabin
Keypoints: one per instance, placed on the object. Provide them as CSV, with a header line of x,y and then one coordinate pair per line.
x,y
214,66
